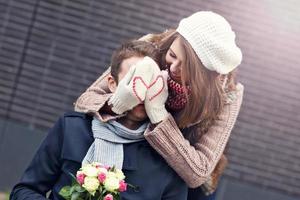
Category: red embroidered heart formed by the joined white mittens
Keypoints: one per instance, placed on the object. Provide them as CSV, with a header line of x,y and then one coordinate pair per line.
x,y
138,78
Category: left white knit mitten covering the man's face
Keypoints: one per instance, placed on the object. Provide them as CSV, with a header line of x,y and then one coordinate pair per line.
x,y
131,90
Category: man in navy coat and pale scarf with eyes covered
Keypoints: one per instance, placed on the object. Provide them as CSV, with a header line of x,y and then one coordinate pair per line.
x,y
77,138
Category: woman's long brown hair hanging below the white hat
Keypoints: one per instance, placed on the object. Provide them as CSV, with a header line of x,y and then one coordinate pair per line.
x,y
205,101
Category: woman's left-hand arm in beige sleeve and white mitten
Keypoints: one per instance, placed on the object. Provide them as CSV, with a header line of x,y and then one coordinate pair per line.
x,y
125,97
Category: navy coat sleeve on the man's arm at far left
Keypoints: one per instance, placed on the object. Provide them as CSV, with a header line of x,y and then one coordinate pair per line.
x,y
44,169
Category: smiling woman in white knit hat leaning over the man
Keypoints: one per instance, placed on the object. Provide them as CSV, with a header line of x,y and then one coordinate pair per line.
x,y
204,101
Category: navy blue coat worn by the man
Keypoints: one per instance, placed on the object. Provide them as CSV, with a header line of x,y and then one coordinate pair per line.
x,y
65,147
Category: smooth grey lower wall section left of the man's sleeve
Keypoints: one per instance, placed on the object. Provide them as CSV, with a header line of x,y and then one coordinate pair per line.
x,y
17,149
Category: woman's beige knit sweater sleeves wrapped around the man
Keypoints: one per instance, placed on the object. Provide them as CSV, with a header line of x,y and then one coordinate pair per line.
x,y
193,163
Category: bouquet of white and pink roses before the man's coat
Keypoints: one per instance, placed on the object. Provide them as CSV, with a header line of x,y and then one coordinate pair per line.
x,y
95,182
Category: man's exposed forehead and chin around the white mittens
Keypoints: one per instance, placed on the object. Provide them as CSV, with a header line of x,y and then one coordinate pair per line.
x,y
138,113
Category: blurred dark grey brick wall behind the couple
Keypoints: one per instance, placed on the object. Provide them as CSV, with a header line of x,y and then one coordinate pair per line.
x,y
51,50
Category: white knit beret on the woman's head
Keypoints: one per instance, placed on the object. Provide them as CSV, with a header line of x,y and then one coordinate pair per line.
x,y
212,39
